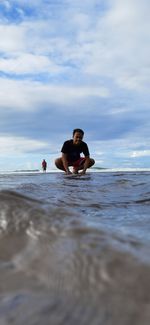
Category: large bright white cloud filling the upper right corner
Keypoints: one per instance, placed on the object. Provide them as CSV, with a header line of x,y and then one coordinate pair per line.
x,y
120,47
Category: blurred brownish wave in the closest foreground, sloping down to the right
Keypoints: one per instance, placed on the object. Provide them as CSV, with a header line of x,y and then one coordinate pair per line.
x,y
56,269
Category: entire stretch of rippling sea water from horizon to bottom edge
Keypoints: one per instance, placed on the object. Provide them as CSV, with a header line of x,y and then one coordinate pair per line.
x,y
75,249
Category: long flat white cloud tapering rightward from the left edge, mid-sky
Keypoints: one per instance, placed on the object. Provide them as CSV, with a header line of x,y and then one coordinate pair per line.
x,y
28,96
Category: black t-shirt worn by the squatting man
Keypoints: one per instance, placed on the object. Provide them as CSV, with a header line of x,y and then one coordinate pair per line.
x,y
73,151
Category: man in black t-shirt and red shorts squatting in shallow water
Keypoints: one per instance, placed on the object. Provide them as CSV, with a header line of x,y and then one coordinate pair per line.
x,y
71,151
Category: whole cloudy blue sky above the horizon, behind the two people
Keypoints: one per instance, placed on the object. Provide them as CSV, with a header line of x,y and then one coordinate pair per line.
x,y
68,64
